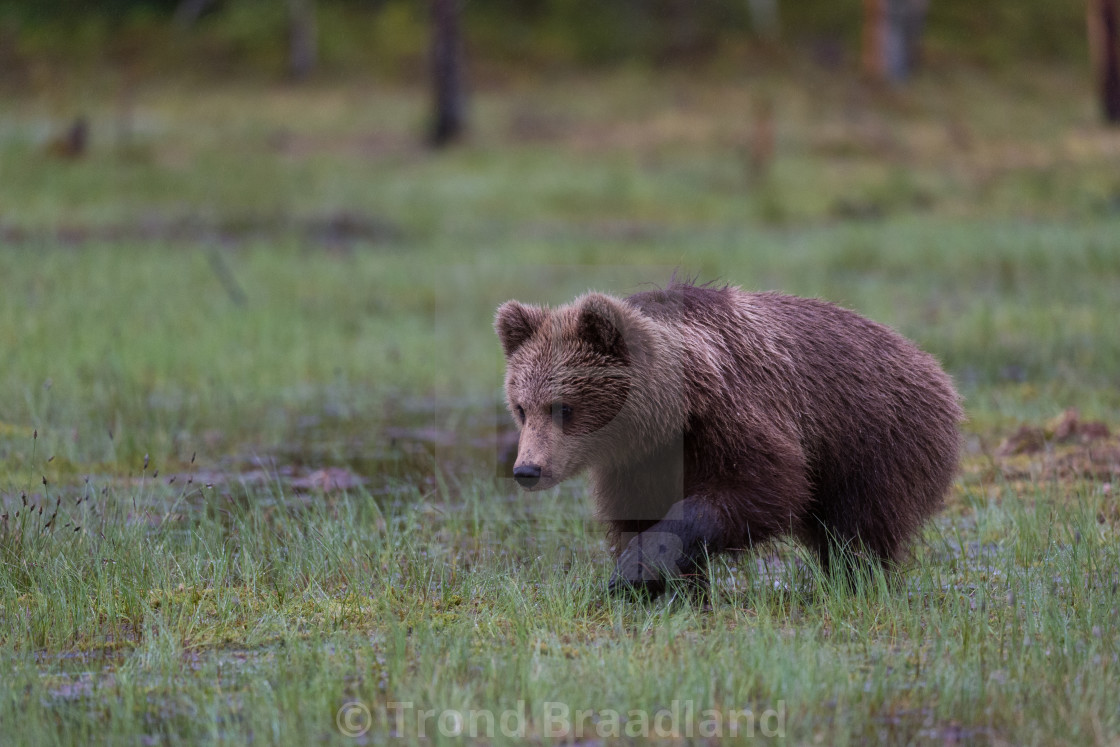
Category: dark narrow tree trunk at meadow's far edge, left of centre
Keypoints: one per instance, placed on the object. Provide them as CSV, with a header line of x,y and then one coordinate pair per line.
x,y
450,118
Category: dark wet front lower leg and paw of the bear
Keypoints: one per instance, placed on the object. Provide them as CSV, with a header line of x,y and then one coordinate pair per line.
x,y
678,546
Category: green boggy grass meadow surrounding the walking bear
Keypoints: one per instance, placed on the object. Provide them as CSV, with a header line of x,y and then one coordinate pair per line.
x,y
268,292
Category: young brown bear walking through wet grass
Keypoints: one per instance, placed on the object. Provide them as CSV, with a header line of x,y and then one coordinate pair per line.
x,y
714,419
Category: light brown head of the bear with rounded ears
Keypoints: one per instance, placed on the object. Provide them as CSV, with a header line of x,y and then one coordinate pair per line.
x,y
573,382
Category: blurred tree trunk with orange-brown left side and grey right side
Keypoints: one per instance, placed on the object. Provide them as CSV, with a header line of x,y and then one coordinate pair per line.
x,y
892,34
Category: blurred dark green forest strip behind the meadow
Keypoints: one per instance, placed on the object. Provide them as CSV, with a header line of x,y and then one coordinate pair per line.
x,y
213,40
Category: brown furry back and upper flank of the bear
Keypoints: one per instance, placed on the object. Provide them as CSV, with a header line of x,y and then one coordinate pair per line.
x,y
845,387
